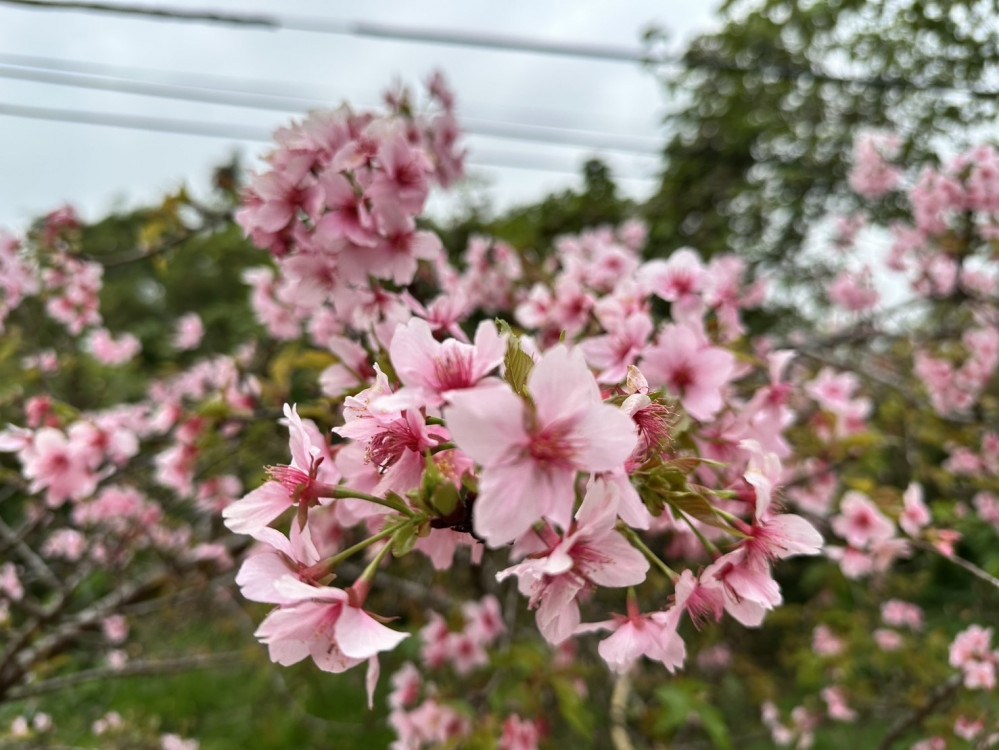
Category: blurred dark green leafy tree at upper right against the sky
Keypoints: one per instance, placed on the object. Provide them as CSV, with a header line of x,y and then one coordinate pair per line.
x,y
770,106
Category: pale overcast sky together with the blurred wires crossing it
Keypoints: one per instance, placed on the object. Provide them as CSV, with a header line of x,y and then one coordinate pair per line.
x,y
175,97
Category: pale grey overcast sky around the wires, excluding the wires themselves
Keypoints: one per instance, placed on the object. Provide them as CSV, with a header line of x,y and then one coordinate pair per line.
x,y
46,164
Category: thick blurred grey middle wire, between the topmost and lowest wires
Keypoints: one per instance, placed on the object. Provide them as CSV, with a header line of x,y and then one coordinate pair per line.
x,y
114,81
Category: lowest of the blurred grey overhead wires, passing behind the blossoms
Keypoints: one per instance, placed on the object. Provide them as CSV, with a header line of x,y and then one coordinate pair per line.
x,y
230,131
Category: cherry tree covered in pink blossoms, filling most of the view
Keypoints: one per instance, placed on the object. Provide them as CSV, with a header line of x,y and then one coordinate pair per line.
x,y
525,479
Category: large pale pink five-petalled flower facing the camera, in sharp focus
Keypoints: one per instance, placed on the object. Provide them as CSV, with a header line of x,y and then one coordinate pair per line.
x,y
530,457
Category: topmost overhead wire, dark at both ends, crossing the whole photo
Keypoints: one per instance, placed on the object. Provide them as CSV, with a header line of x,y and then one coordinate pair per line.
x,y
609,53
